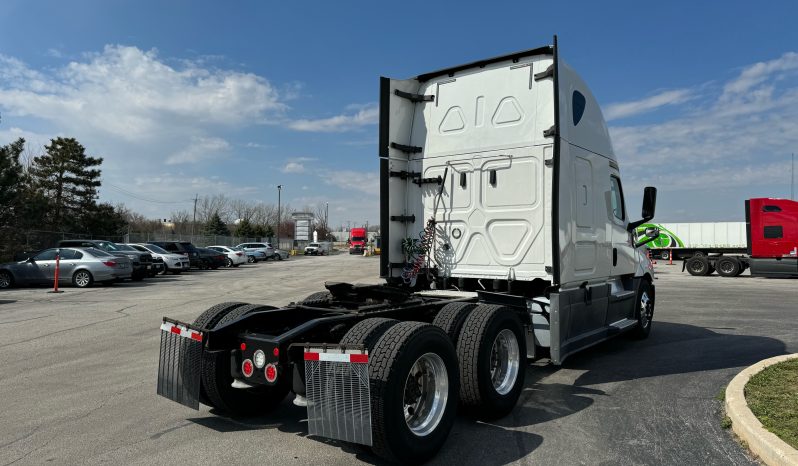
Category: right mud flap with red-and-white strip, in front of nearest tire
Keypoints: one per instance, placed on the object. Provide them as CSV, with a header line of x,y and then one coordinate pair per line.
x,y
338,394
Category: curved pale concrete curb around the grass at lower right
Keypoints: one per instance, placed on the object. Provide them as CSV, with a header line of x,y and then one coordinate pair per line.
x,y
771,449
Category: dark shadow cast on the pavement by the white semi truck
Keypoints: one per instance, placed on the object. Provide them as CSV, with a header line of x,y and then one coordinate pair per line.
x,y
671,349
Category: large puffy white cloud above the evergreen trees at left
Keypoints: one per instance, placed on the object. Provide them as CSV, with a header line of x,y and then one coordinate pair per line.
x,y
132,94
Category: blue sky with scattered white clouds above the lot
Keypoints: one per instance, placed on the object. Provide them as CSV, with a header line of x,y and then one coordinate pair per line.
x,y
186,97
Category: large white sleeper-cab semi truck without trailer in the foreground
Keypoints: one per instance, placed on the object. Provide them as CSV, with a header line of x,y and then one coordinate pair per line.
x,y
505,239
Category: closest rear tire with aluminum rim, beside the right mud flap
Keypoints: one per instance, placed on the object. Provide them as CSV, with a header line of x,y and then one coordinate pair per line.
x,y
413,379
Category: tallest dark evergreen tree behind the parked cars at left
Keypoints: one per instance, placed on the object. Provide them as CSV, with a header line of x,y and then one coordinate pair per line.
x,y
69,179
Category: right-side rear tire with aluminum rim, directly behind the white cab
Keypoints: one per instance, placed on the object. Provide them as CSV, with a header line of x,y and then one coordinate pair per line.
x,y
491,350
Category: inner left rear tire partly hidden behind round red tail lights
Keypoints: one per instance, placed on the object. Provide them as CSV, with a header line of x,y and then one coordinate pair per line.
x,y
217,379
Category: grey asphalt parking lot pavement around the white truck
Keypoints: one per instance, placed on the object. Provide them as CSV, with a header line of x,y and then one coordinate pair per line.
x,y
78,370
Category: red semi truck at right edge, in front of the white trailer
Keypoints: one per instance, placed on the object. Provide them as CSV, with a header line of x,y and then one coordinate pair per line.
x,y
770,250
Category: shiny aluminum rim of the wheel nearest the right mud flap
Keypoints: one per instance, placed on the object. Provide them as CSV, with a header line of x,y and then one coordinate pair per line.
x,y
425,394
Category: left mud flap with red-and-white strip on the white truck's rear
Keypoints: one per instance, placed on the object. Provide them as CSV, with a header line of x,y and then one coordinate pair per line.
x,y
179,363
